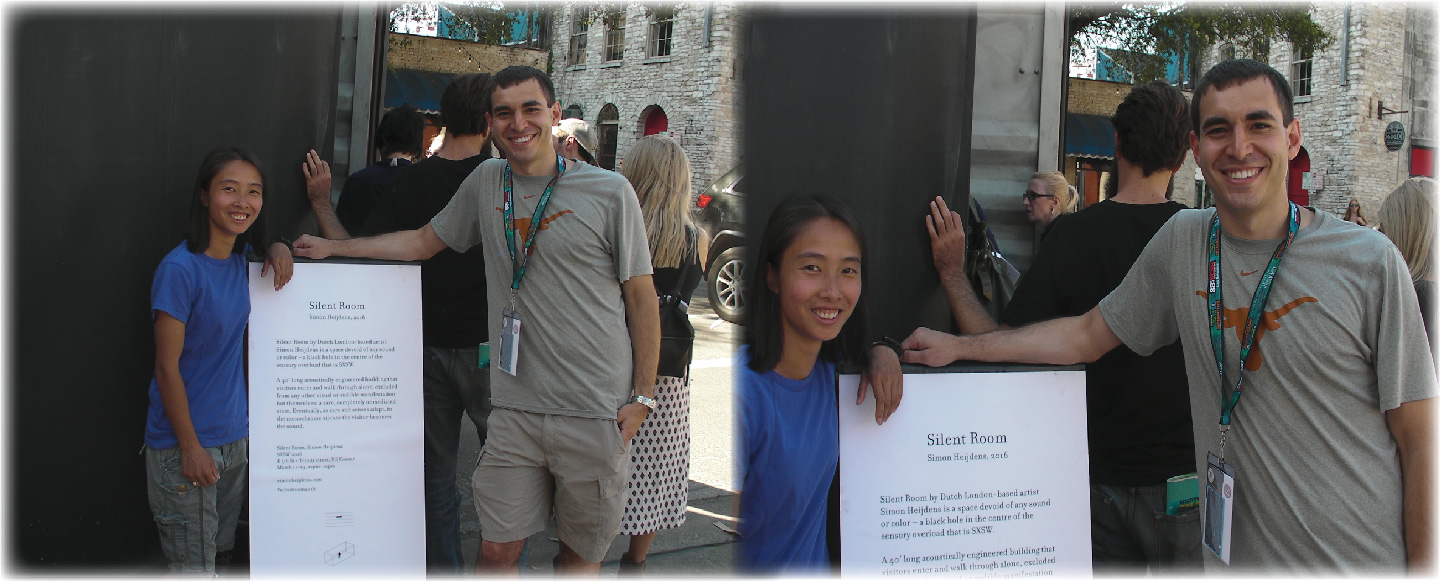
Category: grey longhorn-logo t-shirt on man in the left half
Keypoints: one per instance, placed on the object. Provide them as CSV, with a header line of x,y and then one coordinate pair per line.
x,y
575,351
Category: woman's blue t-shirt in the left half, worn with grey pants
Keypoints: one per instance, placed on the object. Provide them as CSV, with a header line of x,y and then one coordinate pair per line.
x,y
212,299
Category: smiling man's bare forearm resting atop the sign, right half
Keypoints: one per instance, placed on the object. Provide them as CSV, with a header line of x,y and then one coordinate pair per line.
x,y
1066,341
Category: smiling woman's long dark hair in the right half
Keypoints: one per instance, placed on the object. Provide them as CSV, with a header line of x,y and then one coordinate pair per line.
x,y
765,334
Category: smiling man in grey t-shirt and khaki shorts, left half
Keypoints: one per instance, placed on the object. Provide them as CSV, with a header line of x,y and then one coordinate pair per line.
x,y
574,327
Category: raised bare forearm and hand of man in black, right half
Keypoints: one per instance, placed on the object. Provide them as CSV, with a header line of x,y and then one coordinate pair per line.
x,y
948,253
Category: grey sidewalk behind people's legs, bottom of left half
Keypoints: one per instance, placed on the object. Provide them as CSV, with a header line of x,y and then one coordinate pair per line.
x,y
695,549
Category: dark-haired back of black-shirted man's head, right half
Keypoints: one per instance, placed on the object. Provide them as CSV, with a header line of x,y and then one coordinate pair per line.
x,y
1153,126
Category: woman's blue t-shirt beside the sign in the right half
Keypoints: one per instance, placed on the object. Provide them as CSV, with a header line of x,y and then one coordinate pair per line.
x,y
791,451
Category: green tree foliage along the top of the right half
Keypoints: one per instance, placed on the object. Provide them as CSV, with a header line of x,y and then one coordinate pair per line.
x,y
1184,28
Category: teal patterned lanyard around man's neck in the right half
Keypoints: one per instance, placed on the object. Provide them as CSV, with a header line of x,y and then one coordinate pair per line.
x,y
1218,337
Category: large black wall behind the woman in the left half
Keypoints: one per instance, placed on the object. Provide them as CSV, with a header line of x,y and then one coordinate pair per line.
x,y
110,117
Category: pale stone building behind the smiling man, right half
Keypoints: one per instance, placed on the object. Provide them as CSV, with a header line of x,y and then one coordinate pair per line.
x,y
1385,58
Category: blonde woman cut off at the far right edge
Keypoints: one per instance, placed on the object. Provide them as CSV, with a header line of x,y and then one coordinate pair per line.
x,y
1408,217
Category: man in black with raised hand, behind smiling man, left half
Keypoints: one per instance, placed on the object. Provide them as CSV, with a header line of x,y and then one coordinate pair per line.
x,y
453,296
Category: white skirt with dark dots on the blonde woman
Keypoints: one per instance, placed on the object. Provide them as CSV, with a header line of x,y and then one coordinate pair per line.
x,y
659,487
